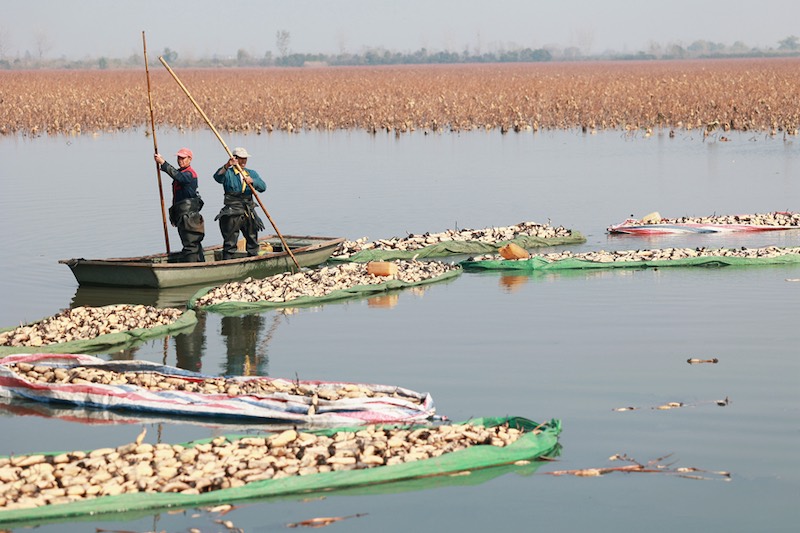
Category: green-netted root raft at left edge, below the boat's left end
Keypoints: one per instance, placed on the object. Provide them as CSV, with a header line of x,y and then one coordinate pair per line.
x,y
95,329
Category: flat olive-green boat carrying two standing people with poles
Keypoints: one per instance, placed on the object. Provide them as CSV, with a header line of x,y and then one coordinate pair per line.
x,y
162,270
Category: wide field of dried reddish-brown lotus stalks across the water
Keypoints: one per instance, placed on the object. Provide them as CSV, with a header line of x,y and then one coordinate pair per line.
x,y
711,95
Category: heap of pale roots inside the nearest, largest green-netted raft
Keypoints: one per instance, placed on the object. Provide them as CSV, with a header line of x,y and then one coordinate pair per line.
x,y
29,481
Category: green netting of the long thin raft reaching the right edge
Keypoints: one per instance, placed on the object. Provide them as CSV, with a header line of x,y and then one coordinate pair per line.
x,y
537,263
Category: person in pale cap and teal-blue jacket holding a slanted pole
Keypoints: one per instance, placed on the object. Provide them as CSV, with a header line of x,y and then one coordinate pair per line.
x,y
238,213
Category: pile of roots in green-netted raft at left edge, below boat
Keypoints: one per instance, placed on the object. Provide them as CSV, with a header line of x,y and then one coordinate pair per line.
x,y
87,323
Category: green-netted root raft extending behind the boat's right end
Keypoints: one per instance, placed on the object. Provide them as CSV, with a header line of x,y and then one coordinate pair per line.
x,y
457,242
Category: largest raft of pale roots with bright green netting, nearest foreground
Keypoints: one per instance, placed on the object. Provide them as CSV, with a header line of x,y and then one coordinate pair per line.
x,y
142,476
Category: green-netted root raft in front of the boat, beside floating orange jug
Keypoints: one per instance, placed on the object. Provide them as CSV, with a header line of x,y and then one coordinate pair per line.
x,y
312,287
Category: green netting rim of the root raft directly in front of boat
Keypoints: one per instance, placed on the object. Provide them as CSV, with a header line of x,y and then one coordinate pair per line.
x,y
235,308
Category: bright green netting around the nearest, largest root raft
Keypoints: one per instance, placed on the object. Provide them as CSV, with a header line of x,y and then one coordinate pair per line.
x,y
528,446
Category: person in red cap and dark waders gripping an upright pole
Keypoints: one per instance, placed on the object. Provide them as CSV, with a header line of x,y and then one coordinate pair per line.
x,y
186,205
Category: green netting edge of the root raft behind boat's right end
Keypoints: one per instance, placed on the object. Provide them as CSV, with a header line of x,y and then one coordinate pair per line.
x,y
446,248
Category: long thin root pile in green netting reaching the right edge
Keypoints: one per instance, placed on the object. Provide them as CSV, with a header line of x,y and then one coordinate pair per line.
x,y
662,254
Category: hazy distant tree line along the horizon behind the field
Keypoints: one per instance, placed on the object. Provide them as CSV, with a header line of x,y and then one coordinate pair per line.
x,y
700,49
